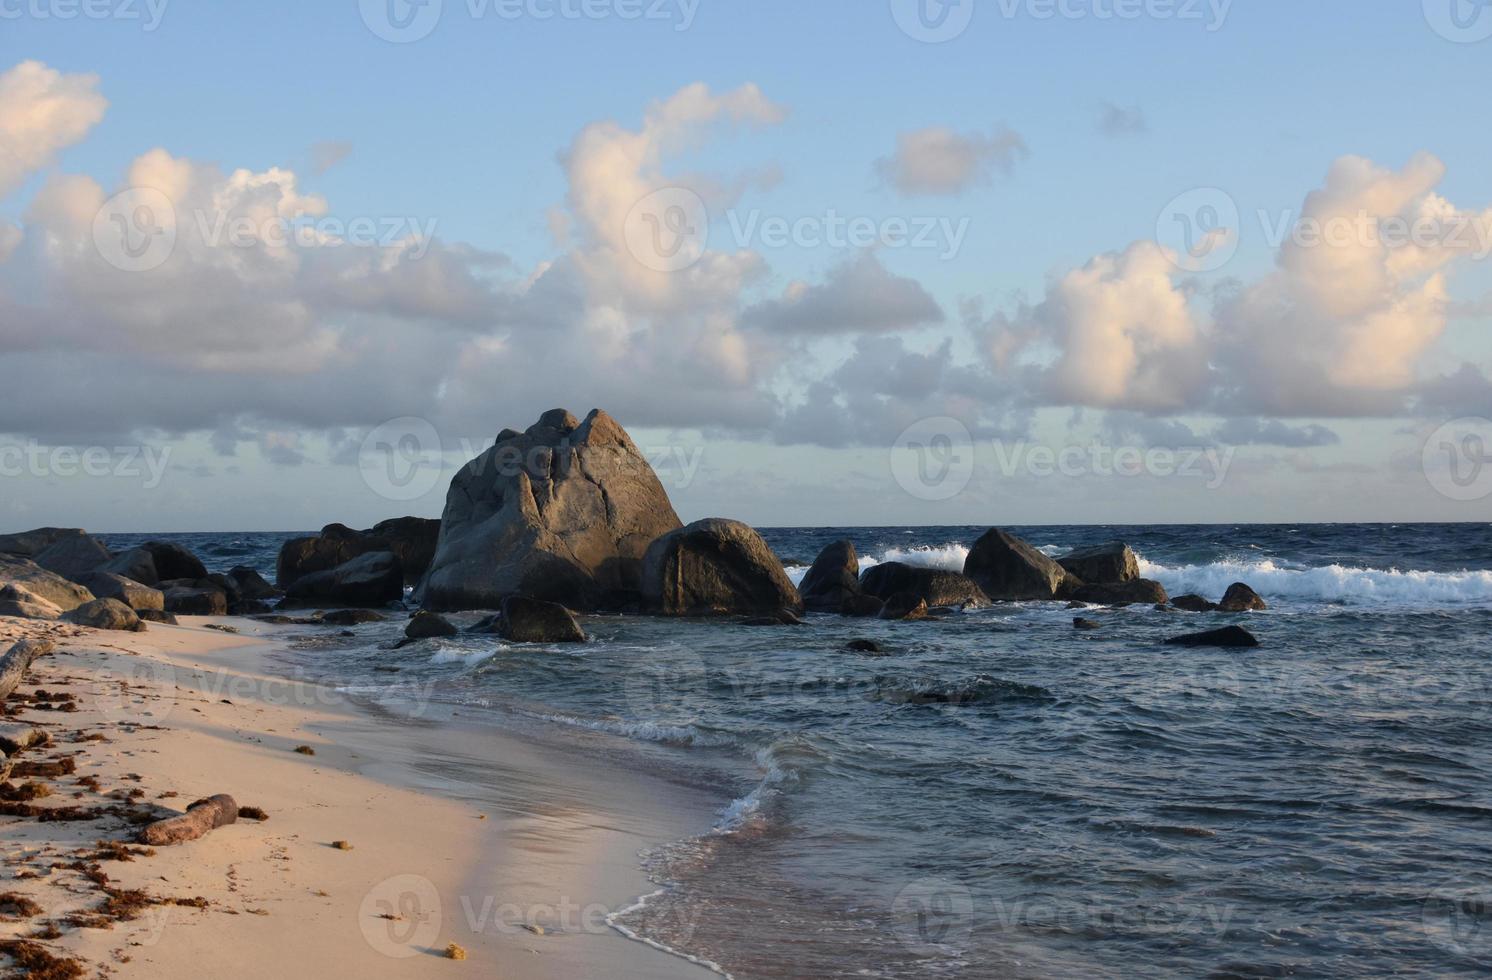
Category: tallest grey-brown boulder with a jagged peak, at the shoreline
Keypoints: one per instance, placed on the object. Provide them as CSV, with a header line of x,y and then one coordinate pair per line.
x,y
563,512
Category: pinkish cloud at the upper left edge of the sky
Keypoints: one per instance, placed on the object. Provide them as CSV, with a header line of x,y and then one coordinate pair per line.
x,y
43,113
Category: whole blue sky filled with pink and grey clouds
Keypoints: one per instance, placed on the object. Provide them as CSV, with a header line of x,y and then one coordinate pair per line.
x,y
883,262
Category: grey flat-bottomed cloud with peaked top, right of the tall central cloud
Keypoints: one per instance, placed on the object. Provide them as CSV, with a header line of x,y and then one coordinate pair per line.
x,y
859,296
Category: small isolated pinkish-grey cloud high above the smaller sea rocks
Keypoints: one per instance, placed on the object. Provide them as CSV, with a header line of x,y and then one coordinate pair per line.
x,y
939,162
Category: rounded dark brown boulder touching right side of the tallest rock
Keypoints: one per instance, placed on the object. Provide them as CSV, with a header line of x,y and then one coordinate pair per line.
x,y
715,568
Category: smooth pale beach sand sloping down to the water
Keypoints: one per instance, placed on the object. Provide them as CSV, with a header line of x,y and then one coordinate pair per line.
x,y
511,849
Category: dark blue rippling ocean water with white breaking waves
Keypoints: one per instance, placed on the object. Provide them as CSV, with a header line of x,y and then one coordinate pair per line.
x,y
1002,796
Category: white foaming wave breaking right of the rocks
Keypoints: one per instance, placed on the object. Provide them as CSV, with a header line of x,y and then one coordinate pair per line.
x,y
1326,584
